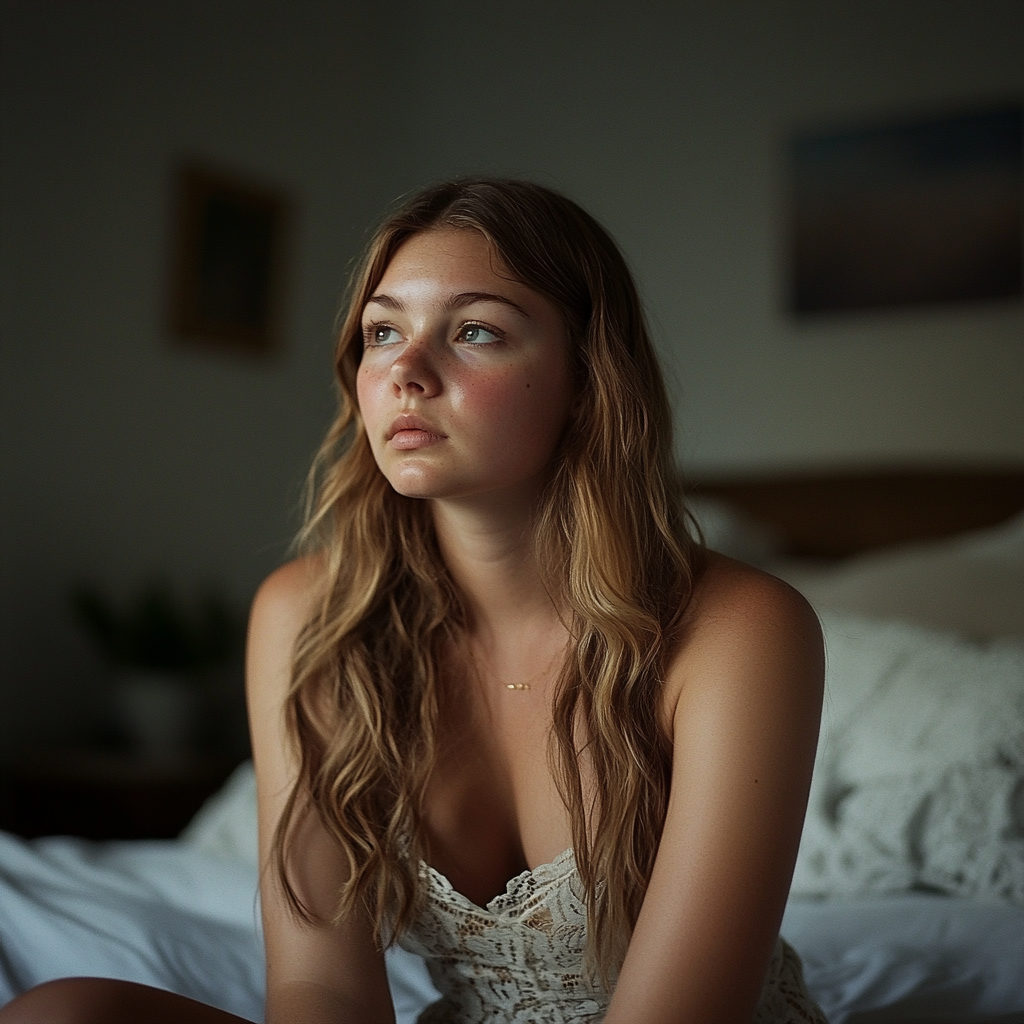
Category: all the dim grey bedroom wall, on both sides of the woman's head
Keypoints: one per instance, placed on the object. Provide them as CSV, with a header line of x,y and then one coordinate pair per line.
x,y
123,456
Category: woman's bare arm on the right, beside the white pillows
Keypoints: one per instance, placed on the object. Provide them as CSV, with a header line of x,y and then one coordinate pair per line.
x,y
750,680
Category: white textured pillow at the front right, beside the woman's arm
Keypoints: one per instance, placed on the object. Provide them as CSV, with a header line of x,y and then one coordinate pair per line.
x,y
920,773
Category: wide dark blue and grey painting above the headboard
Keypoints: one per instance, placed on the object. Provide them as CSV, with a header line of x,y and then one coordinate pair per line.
x,y
907,214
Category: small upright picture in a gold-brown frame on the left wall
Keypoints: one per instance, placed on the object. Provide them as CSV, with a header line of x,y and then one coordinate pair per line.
x,y
230,238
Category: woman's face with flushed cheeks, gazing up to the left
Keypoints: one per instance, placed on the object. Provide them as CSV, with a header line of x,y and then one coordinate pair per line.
x,y
464,385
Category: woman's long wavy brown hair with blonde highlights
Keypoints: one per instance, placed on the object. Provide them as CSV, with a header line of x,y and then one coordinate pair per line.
x,y
619,561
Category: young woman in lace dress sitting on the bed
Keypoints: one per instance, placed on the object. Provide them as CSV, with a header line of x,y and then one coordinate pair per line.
x,y
507,712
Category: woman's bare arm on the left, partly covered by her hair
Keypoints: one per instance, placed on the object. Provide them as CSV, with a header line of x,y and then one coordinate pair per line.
x,y
321,973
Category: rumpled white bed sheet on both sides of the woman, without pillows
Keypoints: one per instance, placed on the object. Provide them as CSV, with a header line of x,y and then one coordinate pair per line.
x,y
167,915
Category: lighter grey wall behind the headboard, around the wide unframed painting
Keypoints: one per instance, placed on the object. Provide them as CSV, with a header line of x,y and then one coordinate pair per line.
x,y
668,122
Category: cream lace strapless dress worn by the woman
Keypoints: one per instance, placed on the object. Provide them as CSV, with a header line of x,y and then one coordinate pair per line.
x,y
520,960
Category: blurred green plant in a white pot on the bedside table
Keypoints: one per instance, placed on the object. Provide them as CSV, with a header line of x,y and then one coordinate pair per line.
x,y
161,653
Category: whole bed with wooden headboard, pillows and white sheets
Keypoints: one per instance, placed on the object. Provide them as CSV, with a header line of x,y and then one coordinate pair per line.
x,y
909,895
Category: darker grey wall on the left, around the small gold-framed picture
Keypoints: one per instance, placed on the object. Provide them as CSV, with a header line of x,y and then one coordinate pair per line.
x,y
125,456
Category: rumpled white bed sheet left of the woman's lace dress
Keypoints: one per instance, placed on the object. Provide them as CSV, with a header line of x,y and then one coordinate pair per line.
x,y
158,913
